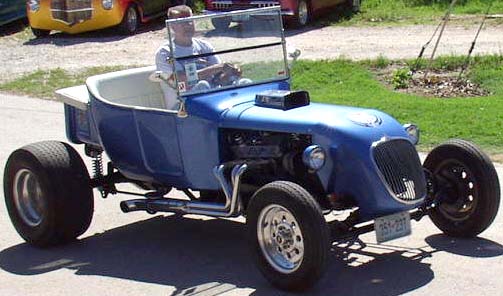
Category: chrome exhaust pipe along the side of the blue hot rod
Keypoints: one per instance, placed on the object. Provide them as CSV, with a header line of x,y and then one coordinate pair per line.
x,y
232,206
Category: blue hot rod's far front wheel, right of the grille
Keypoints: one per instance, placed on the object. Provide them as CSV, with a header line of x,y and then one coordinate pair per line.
x,y
466,188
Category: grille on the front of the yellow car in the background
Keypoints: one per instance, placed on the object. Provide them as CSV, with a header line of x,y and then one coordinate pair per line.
x,y
71,12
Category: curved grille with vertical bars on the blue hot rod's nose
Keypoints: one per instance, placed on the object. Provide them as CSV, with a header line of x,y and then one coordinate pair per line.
x,y
399,164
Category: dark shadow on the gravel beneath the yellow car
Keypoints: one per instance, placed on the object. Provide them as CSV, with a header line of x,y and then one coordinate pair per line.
x,y
105,35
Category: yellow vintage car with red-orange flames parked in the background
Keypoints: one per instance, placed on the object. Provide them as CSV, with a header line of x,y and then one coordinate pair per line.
x,y
75,16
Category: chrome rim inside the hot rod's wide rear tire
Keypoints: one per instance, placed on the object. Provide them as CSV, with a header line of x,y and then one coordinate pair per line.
x,y
28,197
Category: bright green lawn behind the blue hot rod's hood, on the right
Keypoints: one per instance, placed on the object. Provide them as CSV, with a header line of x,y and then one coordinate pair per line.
x,y
351,83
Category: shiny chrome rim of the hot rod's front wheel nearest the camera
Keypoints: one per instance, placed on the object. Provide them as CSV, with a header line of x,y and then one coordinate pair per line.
x,y
280,238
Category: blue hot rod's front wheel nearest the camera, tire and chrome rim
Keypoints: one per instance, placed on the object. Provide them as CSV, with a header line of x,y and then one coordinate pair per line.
x,y
291,245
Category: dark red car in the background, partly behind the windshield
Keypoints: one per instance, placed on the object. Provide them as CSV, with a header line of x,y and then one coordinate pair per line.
x,y
296,12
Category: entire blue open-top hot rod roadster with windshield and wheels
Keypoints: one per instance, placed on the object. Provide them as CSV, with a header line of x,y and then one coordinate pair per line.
x,y
243,143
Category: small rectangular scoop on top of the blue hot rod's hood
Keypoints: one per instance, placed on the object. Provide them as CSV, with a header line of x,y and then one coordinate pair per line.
x,y
282,99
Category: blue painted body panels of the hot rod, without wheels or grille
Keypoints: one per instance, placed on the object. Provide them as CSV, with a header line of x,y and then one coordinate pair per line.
x,y
161,147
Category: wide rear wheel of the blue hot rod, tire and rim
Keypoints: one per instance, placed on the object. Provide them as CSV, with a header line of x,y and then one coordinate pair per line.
x,y
47,193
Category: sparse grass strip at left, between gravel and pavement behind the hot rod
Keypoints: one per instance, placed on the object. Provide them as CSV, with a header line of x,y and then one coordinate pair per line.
x,y
42,84
